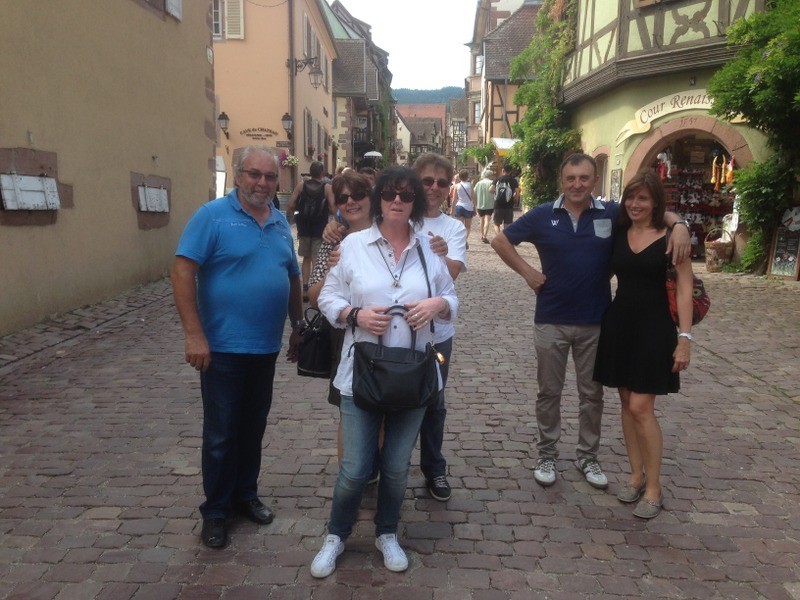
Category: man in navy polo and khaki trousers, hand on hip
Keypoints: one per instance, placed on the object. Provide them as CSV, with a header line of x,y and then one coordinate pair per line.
x,y
573,236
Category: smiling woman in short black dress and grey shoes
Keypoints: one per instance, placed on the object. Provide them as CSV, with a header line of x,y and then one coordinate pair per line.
x,y
640,352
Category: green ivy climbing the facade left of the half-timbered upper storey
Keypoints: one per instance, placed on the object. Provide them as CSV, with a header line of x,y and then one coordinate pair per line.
x,y
543,131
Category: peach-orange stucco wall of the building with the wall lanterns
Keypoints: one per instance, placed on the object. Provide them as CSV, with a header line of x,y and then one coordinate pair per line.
x,y
252,82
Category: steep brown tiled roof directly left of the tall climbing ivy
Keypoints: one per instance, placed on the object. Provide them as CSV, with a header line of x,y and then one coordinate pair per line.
x,y
510,38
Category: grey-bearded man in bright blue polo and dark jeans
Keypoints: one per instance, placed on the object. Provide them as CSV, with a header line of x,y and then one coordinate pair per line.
x,y
234,279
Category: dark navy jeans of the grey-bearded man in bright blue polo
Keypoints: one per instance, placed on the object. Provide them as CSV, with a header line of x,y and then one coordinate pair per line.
x,y
237,395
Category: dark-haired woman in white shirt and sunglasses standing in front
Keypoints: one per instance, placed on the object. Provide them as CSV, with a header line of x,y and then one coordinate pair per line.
x,y
381,267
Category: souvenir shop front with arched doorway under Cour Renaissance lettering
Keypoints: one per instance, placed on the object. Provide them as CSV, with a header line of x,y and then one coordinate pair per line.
x,y
665,125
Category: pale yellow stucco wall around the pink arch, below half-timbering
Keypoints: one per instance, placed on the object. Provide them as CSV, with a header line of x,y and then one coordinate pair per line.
x,y
602,118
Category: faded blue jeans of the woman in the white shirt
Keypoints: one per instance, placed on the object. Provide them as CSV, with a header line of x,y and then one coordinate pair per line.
x,y
360,430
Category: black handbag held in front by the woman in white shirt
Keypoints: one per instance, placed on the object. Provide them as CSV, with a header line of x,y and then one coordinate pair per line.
x,y
389,379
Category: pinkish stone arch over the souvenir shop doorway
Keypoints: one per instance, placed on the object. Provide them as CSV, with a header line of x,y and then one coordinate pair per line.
x,y
661,136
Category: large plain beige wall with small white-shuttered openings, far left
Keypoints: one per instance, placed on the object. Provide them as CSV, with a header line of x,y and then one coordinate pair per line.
x,y
107,90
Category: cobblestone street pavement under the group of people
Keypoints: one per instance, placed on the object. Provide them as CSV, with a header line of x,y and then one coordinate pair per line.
x,y
99,477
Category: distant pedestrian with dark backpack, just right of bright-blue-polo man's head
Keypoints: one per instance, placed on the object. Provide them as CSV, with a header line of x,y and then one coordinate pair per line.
x,y
312,200
